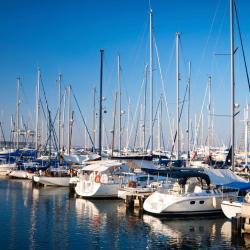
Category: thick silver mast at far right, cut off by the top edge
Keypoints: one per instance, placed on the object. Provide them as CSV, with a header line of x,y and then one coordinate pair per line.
x,y
232,82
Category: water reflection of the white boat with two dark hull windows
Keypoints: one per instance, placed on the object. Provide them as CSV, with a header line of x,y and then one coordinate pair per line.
x,y
180,232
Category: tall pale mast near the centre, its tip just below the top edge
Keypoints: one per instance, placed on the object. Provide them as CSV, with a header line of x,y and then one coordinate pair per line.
x,y
151,77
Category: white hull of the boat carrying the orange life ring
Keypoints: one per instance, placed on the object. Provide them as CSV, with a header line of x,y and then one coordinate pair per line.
x,y
91,189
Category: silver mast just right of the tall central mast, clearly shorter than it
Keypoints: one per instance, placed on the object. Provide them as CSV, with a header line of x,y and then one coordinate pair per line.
x,y
177,97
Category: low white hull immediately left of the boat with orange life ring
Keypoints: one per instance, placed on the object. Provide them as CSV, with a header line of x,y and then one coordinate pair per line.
x,y
52,181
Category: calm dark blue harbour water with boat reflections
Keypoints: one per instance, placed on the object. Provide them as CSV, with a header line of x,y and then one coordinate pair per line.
x,y
49,218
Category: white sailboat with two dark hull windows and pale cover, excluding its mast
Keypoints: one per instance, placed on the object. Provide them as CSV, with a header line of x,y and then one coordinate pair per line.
x,y
194,197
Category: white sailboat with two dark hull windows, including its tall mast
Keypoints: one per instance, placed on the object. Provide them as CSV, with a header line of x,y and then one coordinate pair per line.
x,y
190,198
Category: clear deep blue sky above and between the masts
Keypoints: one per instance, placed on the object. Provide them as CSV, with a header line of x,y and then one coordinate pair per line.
x,y
66,36
